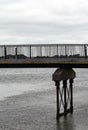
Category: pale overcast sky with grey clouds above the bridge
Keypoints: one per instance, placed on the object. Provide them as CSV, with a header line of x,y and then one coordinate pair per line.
x,y
43,21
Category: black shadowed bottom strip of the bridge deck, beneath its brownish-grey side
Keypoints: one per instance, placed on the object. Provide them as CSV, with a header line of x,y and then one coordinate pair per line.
x,y
43,65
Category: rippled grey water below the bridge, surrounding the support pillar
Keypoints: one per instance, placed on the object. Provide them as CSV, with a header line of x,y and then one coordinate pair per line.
x,y
28,101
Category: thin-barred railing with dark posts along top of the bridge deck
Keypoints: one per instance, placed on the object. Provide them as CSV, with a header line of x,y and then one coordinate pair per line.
x,y
43,50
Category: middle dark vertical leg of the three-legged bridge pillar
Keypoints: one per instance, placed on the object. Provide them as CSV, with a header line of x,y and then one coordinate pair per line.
x,y
65,96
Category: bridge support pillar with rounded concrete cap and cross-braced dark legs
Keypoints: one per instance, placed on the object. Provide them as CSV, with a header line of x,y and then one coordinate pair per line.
x,y
64,91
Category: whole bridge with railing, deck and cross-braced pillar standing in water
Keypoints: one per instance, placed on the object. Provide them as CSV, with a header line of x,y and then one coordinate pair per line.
x,y
62,56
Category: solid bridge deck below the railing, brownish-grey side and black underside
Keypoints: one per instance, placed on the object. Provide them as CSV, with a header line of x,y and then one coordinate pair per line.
x,y
45,63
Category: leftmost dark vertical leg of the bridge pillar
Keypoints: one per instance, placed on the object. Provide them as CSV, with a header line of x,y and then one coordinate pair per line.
x,y
57,98
